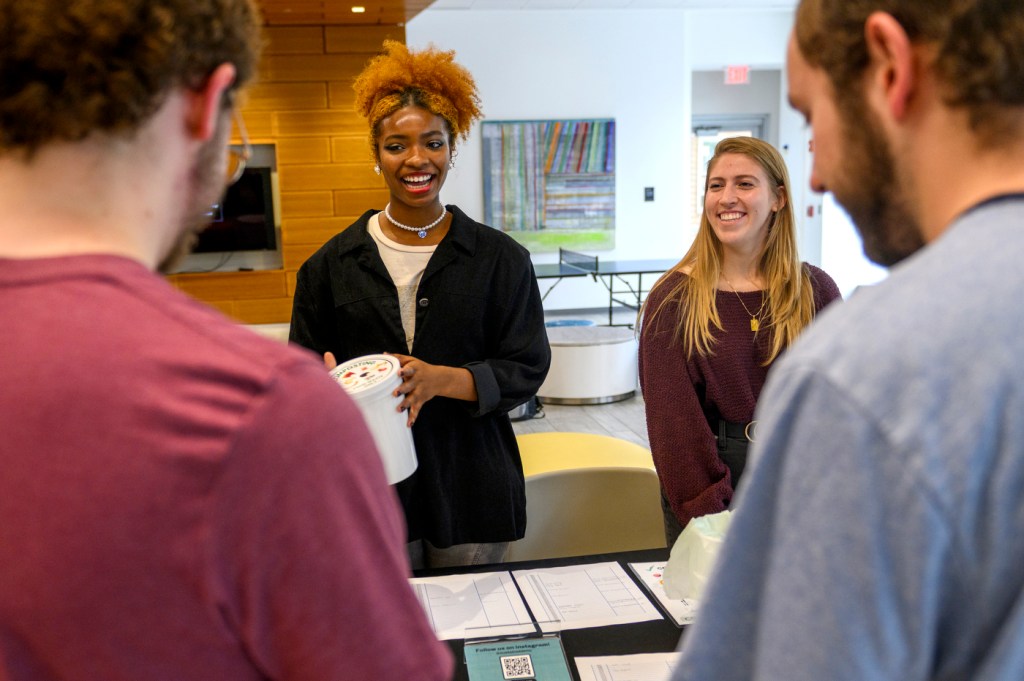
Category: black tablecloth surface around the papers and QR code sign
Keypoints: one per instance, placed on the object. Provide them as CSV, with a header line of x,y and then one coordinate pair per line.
x,y
657,636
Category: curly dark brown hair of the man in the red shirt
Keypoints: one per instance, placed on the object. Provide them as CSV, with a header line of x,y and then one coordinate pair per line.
x,y
70,68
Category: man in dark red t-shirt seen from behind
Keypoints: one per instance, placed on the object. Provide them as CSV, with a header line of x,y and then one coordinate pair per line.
x,y
181,499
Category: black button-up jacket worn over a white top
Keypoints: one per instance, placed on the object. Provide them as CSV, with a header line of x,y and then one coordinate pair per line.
x,y
479,308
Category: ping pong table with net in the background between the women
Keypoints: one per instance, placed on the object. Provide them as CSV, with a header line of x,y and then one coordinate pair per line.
x,y
623,279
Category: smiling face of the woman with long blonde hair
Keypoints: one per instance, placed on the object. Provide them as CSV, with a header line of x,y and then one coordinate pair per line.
x,y
740,203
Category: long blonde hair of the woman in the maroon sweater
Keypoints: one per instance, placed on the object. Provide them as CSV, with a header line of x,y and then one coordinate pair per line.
x,y
791,297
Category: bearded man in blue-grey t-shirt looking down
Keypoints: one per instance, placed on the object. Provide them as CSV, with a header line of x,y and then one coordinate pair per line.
x,y
881,533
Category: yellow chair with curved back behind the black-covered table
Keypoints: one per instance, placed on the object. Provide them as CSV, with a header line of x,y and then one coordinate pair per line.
x,y
587,494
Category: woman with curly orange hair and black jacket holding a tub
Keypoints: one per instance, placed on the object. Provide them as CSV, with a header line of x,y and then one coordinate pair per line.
x,y
455,301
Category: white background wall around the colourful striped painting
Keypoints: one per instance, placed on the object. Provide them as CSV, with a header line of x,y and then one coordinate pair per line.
x,y
634,66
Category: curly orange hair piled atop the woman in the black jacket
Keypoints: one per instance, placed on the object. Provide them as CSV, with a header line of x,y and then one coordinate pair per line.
x,y
430,79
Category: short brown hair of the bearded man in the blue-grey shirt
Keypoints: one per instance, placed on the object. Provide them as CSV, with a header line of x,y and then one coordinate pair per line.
x,y
979,47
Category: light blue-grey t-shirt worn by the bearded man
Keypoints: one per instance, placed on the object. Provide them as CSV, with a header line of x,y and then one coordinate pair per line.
x,y
880,534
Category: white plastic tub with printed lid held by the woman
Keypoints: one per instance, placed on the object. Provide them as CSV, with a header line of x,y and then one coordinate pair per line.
x,y
370,380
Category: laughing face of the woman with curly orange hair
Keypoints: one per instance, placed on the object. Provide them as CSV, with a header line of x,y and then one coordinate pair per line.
x,y
414,150
